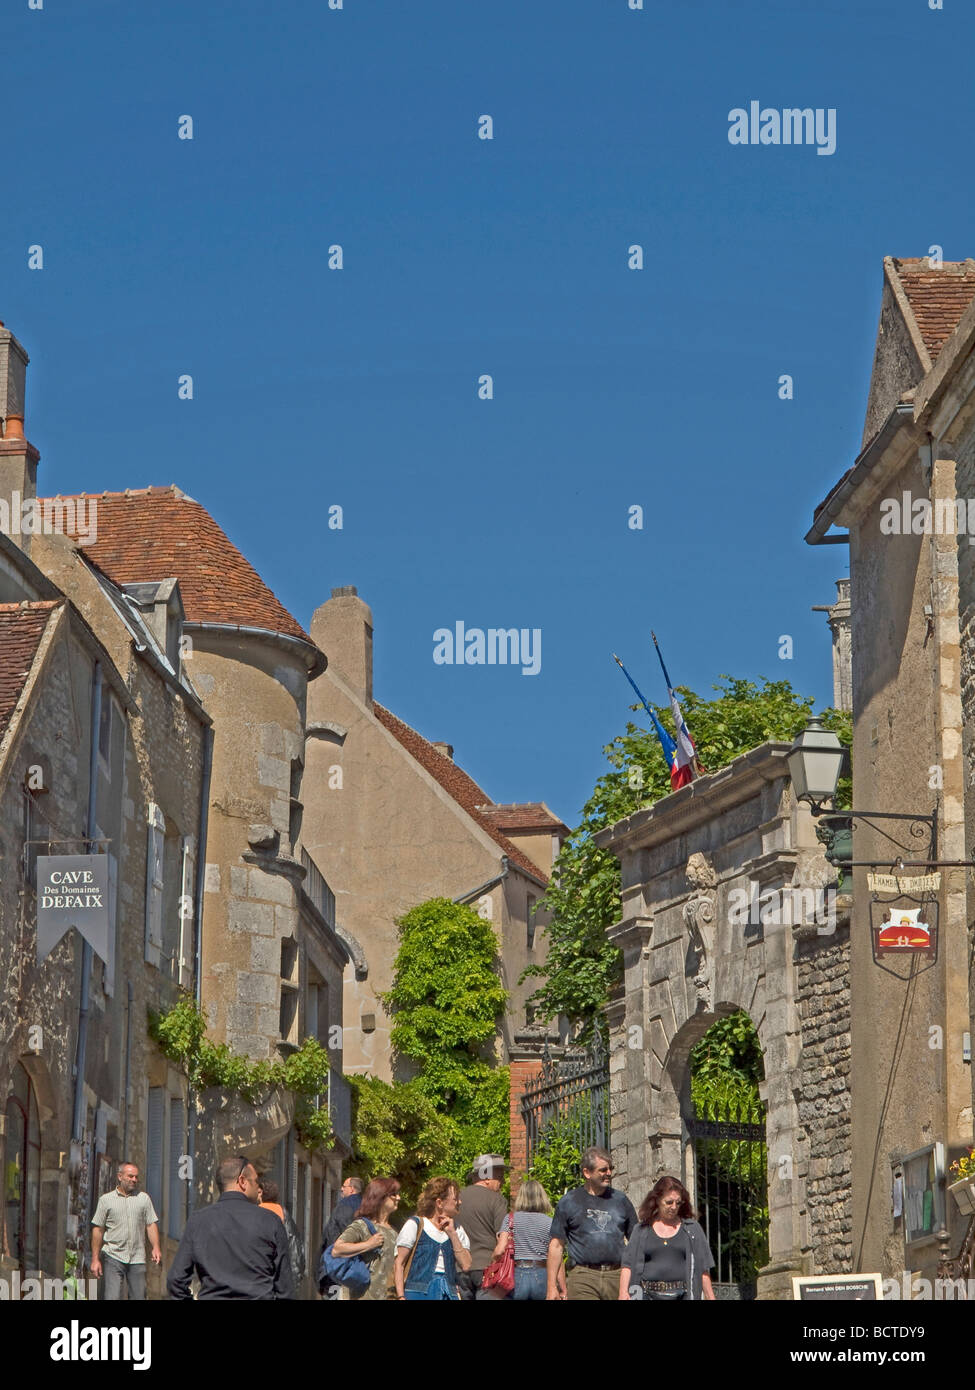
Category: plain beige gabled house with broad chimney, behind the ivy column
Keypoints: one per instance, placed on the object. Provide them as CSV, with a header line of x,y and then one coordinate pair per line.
x,y
398,822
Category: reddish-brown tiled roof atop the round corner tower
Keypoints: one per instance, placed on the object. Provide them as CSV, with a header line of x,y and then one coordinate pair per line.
x,y
152,534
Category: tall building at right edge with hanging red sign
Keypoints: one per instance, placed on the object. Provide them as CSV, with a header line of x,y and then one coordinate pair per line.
x,y
909,518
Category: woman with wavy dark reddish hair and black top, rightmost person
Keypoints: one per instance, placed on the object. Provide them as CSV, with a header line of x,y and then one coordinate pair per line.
x,y
668,1256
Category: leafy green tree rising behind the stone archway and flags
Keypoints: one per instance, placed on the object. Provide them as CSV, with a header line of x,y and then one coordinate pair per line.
x,y
585,894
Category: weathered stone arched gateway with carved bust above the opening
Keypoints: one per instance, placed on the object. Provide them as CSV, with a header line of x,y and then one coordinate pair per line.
x,y
728,904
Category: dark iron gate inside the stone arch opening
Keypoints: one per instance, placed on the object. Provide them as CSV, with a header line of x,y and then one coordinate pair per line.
x,y
731,1195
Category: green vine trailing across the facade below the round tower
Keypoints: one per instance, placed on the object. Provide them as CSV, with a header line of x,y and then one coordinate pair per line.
x,y
182,1036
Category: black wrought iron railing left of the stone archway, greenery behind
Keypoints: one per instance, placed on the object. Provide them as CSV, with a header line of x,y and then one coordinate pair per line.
x,y
570,1097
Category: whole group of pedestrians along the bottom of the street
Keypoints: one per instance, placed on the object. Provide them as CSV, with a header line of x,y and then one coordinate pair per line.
x,y
460,1245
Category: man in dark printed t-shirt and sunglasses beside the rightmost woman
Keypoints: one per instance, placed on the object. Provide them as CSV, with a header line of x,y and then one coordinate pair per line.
x,y
595,1223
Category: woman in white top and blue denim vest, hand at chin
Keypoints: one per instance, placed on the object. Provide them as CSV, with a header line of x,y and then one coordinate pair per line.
x,y
432,1249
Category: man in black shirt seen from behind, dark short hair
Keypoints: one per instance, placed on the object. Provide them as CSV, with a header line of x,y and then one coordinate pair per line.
x,y
236,1248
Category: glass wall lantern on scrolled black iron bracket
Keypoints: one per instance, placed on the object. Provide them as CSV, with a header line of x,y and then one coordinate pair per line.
x,y
816,764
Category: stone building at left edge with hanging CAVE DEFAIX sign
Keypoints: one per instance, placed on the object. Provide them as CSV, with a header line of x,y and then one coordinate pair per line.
x,y
102,755
